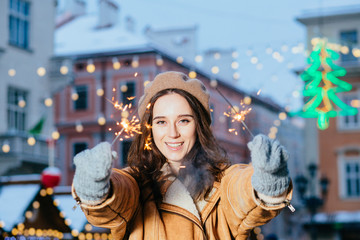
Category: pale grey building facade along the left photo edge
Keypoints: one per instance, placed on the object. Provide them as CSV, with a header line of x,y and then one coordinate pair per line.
x,y
26,45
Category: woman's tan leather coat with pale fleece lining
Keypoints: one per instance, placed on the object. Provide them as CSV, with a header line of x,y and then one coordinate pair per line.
x,y
231,211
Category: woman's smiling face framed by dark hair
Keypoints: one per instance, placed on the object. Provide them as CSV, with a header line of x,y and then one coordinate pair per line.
x,y
173,127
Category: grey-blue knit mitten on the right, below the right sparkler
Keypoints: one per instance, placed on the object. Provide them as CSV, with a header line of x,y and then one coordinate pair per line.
x,y
269,159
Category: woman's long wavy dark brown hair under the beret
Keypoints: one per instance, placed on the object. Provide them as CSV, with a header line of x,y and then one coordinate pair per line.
x,y
204,163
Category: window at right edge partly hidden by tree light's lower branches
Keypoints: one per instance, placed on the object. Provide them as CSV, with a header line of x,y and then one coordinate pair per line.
x,y
350,122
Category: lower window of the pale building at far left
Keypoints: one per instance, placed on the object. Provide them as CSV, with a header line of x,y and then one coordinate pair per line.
x,y
16,109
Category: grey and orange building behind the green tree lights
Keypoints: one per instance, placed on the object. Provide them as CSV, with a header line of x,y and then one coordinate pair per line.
x,y
336,150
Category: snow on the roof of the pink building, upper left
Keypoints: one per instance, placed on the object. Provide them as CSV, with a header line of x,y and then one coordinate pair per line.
x,y
81,36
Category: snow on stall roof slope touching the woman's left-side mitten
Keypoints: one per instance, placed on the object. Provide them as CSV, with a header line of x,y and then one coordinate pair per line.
x,y
77,217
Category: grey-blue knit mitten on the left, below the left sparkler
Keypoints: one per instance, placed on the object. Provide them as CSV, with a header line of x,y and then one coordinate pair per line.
x,y
92,174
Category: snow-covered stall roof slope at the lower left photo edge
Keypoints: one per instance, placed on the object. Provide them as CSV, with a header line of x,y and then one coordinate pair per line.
x,y
14,199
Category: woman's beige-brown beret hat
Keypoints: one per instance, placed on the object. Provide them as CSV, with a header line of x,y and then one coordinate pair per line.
x,y
171,80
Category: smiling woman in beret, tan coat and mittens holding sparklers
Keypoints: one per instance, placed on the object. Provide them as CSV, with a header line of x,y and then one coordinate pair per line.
x,y
183,187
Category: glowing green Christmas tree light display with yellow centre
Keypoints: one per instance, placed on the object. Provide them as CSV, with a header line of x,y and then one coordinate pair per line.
x,y
321,86
